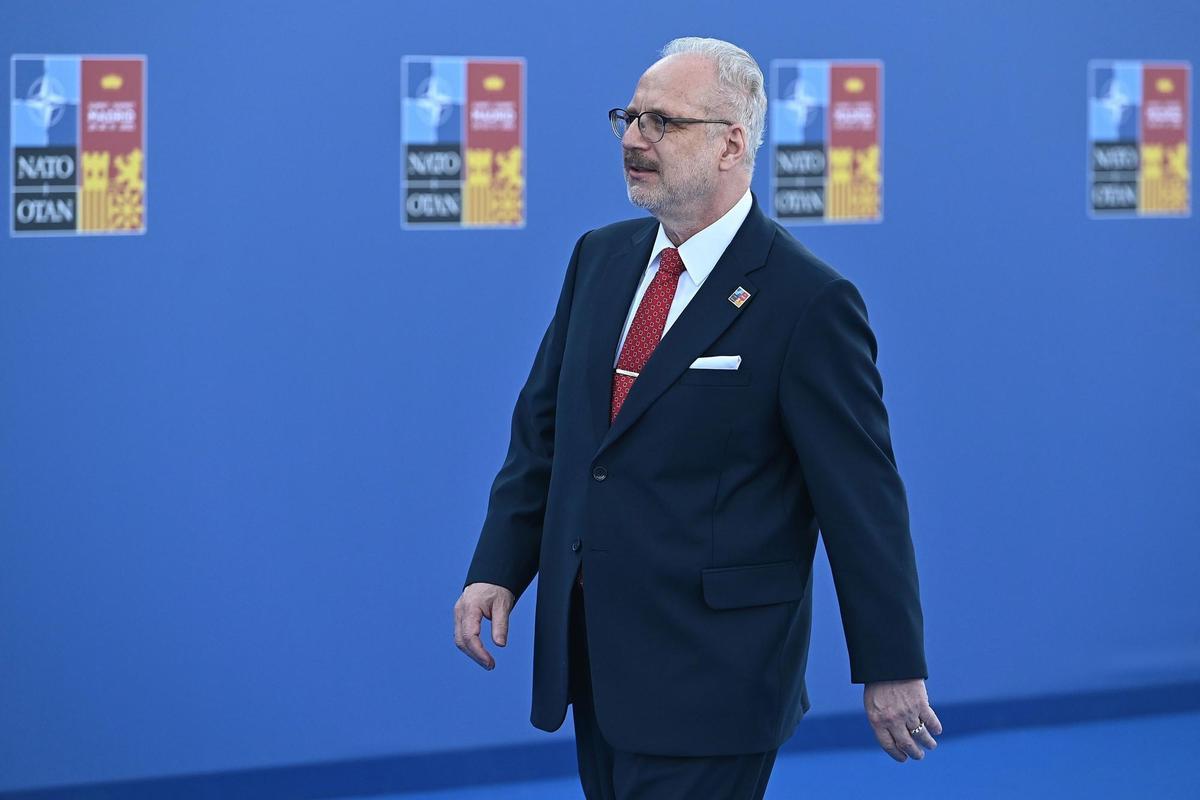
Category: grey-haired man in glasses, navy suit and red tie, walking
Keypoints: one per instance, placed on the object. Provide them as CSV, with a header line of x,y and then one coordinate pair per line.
x,y
705,400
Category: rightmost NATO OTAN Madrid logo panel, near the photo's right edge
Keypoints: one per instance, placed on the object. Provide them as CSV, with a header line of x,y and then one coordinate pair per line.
x,y
1138,131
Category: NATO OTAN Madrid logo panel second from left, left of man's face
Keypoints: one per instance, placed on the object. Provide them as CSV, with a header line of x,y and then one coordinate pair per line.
x,y
464,142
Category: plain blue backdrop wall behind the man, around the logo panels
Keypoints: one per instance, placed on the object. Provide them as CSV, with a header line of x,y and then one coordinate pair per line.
x,y
244,458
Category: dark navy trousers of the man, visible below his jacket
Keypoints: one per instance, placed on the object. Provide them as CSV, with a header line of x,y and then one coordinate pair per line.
x,y
609,774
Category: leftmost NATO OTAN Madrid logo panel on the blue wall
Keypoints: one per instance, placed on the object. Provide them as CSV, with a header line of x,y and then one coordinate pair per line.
x,y
79,146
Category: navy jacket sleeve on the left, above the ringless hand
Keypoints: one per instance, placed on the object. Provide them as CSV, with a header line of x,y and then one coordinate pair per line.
x,y
511,542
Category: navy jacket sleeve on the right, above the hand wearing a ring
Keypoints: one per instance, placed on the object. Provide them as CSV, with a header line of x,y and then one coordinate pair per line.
x,y
832,402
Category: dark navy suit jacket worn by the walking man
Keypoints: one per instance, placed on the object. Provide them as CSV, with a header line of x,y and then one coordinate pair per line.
x,y
695,515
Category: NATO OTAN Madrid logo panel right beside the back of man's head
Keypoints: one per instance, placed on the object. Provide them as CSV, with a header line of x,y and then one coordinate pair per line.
x,y
827,141
